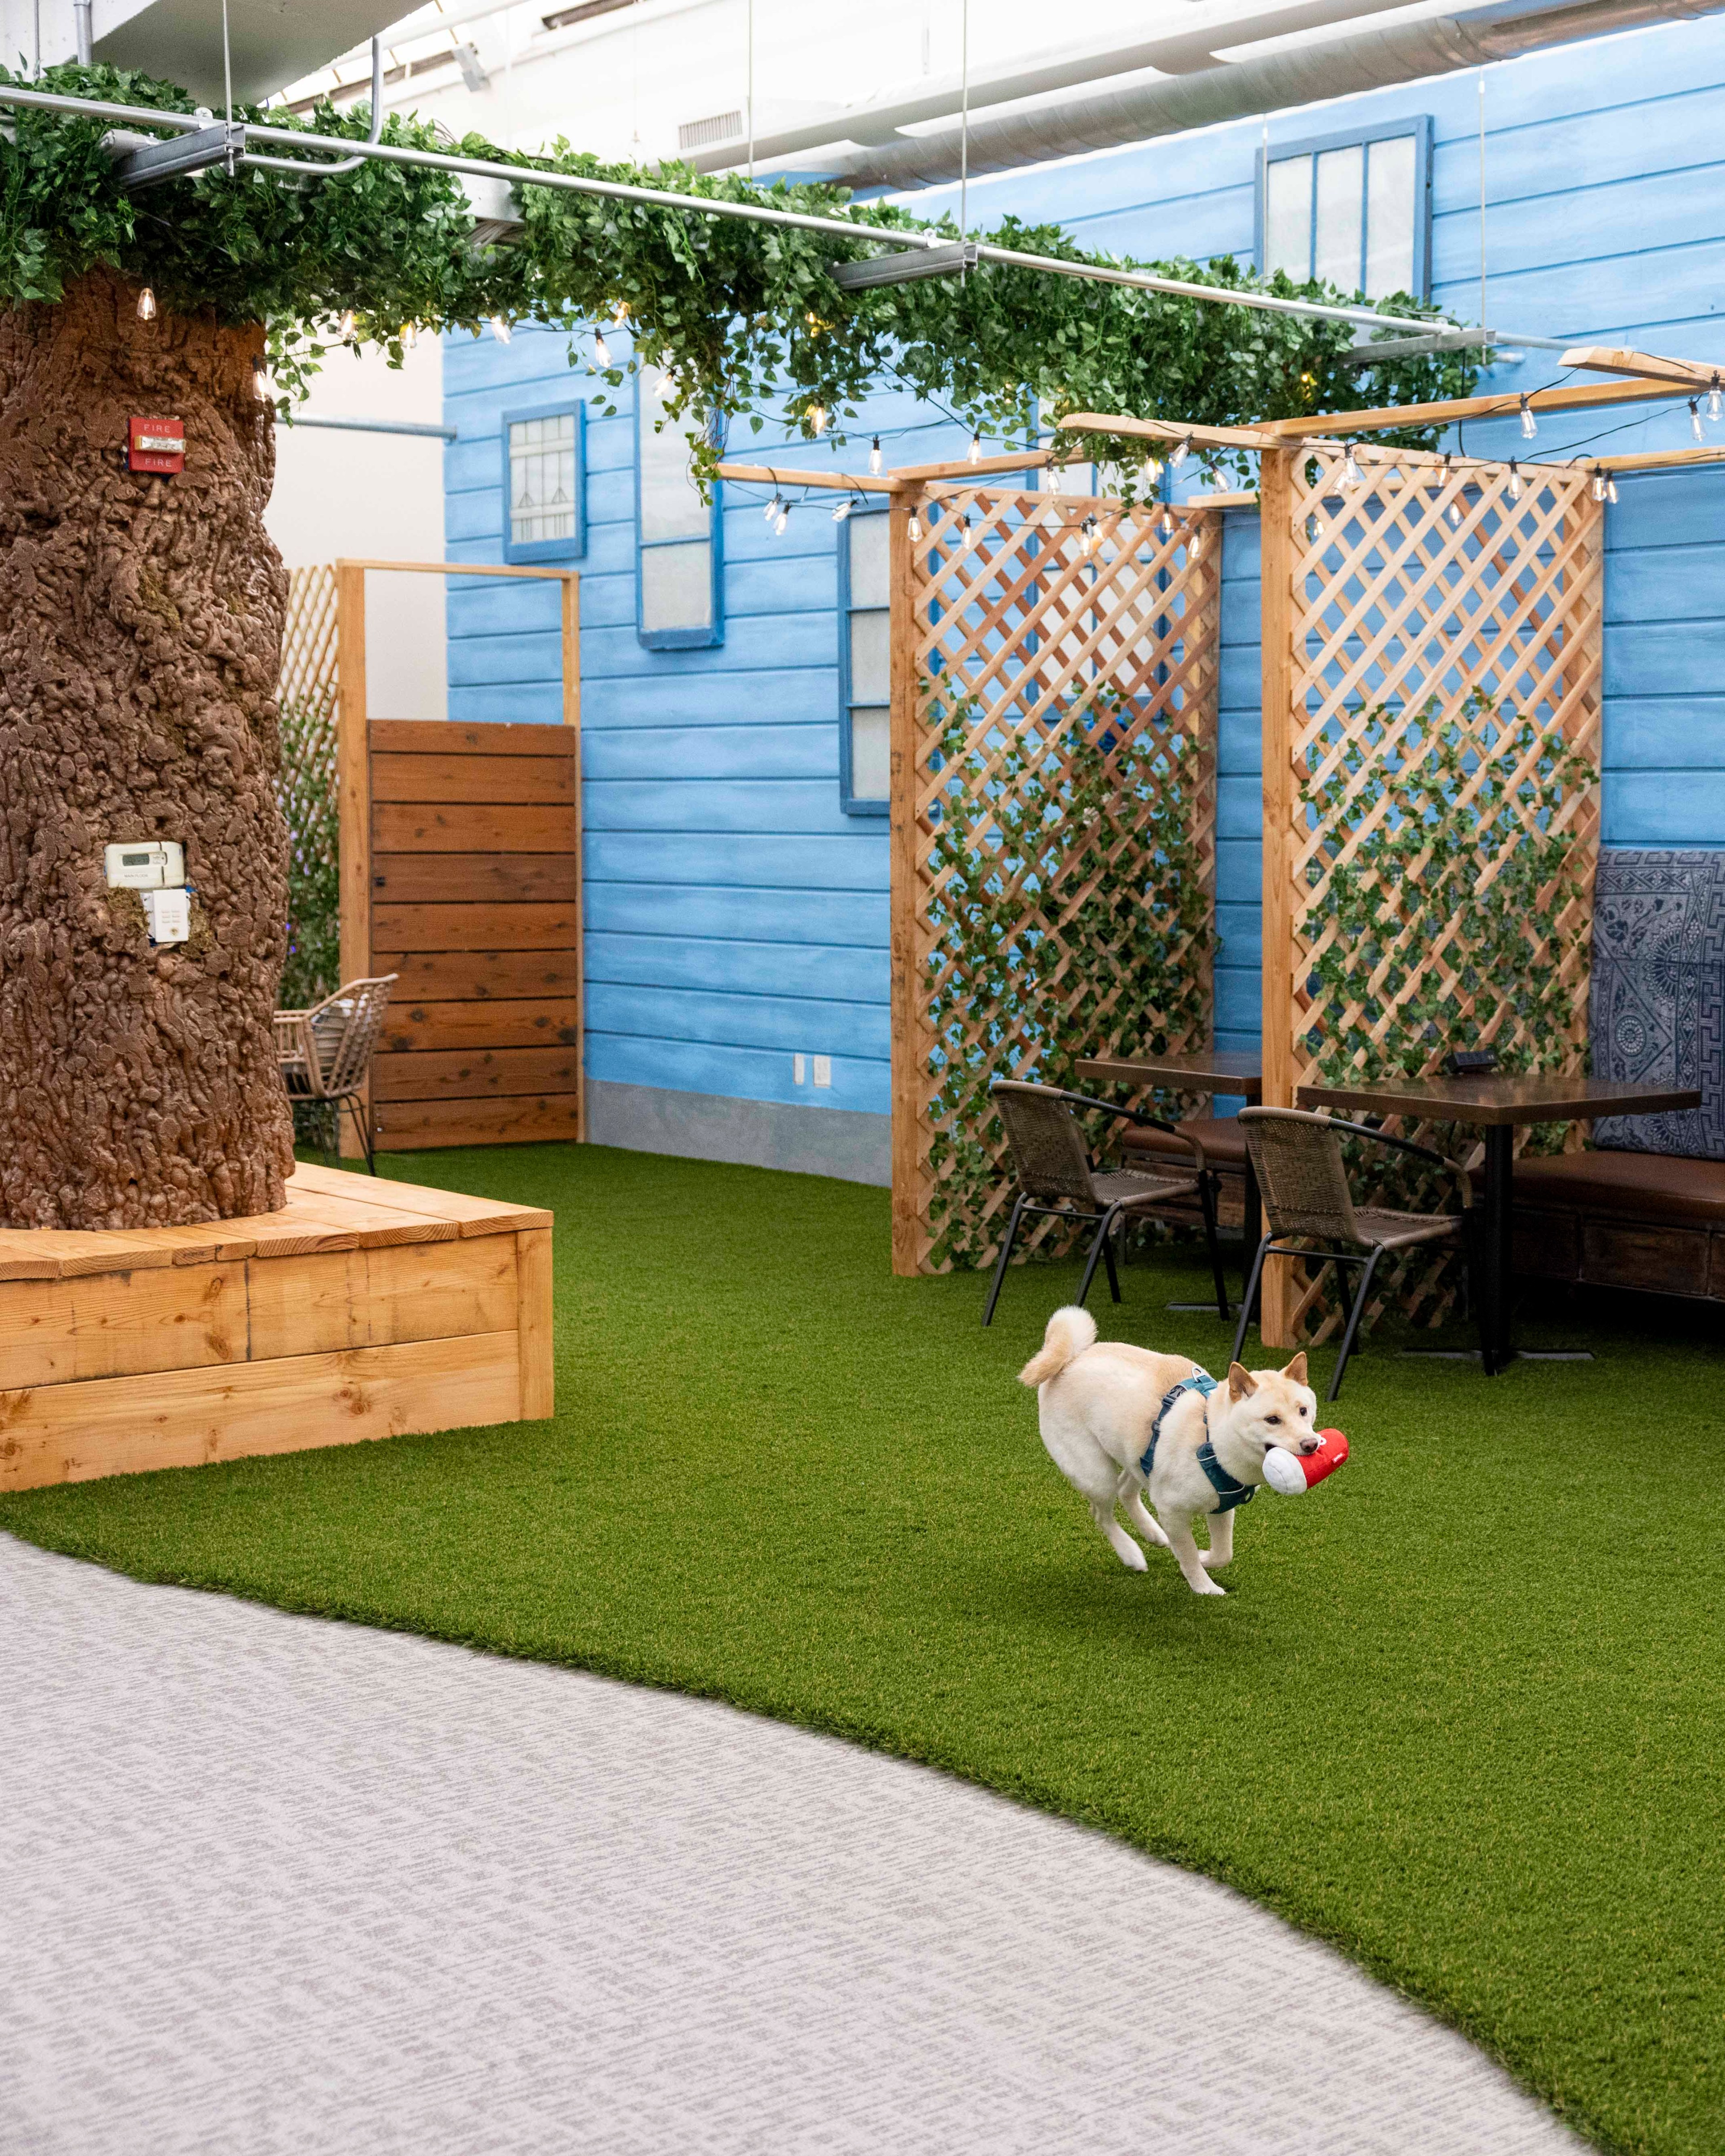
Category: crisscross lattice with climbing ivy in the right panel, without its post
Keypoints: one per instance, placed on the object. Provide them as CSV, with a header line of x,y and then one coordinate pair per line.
x,y
1446,760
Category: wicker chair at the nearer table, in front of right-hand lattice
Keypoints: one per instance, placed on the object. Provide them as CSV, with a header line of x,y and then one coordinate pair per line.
x,y
1310,1206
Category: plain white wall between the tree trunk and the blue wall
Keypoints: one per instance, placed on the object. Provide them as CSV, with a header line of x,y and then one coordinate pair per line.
x,y
376,497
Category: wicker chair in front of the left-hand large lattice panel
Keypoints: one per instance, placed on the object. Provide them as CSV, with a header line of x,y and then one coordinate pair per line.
x,y
1055,1176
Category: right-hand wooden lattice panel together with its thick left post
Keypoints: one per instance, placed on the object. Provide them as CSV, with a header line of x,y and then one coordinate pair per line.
x,y
1424,607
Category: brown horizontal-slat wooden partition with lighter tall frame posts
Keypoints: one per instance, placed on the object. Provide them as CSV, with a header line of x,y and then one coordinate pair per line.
x,y
463,876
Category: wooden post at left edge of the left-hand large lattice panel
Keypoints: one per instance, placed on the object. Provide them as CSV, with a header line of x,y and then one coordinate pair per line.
x,y
909,1004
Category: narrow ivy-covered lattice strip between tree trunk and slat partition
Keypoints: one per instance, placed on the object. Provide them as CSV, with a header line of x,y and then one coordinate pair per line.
x,y
307,788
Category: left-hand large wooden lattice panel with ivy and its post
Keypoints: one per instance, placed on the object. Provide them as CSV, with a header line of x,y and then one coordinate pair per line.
x,y
1053,710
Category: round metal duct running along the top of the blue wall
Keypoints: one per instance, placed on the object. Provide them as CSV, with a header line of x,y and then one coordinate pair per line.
x,y
1336,68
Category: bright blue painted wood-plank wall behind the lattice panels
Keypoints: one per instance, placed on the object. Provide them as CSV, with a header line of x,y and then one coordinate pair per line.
x,y
739,917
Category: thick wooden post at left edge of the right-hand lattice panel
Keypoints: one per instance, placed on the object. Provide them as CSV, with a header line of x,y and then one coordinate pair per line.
x,y
1275,493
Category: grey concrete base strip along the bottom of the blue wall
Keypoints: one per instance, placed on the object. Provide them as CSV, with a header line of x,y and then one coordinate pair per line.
x,y
751,1133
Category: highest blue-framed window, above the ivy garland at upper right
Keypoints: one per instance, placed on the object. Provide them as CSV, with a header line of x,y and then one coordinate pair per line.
x,y
1351,210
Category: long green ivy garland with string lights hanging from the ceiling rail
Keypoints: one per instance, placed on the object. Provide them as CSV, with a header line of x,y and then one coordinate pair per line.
x,y
743,320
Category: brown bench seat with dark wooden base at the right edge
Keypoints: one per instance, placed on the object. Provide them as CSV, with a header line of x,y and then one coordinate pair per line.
x,y
1653,1221
